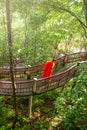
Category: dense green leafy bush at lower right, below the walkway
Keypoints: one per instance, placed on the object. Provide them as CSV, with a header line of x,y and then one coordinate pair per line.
x,y
71,104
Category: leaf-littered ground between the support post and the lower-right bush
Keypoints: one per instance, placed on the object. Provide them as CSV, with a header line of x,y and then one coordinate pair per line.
x,y
45,116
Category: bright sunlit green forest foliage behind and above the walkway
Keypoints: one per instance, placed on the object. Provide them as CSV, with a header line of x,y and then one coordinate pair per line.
x,y
39,26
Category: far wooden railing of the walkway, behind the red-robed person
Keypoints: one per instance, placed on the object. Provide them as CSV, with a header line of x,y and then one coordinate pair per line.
x,y
38,69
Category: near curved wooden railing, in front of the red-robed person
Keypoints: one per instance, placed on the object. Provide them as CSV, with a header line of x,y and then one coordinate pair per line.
x,y
35,86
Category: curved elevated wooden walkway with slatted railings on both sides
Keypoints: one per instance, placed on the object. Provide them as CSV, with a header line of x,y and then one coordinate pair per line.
x,y
36,86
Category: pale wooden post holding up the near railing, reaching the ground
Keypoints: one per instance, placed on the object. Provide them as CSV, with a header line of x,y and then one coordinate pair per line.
x,y
31,98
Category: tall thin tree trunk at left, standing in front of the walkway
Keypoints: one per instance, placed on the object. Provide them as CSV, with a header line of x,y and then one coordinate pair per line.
x,y
9,33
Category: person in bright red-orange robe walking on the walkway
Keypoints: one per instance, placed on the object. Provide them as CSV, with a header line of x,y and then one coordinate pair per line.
x,y
48,68
